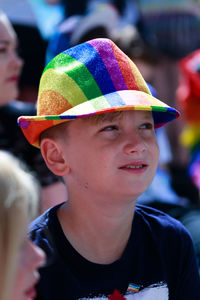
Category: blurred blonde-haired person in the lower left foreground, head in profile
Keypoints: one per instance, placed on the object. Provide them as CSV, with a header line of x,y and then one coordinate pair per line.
x,y
19,257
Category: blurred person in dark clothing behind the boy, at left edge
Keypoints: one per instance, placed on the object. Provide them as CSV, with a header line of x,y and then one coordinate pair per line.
x,y
11,138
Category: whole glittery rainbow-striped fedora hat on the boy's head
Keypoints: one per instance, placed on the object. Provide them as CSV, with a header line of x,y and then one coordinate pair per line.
x,y
92,78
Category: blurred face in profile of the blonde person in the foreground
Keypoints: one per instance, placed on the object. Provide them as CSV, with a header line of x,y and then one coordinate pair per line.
x,y
31,257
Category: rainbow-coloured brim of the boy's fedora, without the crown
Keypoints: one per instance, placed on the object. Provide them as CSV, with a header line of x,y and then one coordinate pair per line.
x,y
33,126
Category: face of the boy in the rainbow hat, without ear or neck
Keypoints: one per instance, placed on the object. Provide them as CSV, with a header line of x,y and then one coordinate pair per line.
x,y
114,157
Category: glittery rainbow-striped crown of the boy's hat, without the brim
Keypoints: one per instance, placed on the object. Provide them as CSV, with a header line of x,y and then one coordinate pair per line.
x,y
87,71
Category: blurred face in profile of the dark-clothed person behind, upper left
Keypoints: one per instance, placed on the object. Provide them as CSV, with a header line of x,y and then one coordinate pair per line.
x,y
10,63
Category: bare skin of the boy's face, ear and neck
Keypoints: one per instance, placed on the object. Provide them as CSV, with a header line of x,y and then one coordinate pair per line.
x,y
121,161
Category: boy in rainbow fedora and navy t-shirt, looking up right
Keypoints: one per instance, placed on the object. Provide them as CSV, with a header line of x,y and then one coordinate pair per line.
x,y
99,244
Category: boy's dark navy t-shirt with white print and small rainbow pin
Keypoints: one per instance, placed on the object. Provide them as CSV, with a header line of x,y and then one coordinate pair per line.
x,y
158,262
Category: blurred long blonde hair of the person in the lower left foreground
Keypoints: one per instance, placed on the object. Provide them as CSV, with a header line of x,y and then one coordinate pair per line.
x,y
18,205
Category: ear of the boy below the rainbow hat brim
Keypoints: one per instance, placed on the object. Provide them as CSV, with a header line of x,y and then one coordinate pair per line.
x,y
53,157
